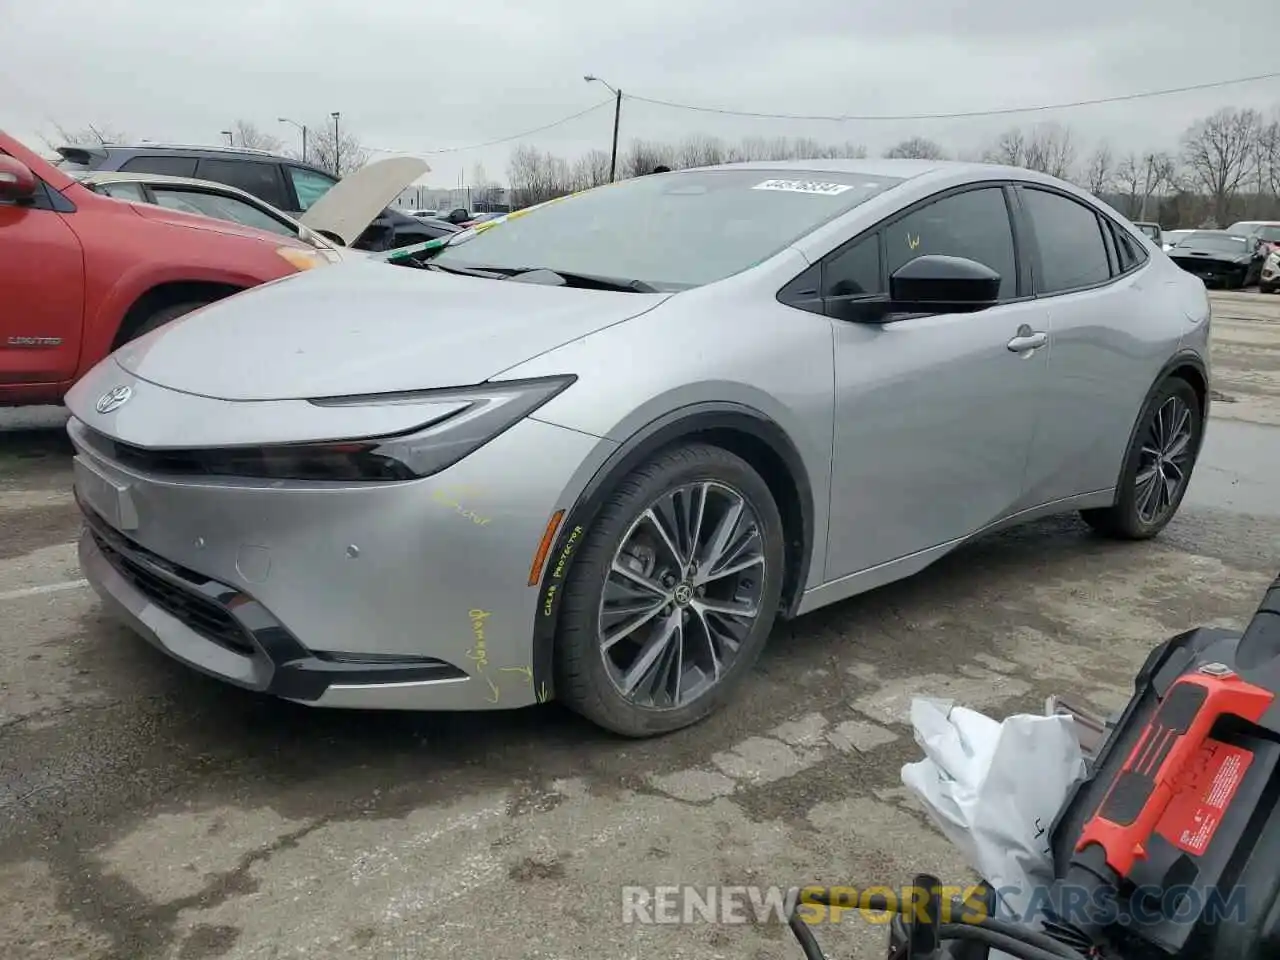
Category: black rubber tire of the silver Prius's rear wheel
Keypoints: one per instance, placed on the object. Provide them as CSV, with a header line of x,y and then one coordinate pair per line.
x,y
1124,520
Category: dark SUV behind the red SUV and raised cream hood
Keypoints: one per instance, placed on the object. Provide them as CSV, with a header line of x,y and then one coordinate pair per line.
x,y
285,184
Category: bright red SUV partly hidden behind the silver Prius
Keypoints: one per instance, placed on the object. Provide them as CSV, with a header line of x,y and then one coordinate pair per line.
x,y
84,273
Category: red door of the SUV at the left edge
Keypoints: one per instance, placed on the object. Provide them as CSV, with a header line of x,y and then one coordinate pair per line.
x,y
43,278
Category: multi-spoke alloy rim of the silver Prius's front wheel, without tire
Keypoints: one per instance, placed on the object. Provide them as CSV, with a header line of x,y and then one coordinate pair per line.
x,y
682,596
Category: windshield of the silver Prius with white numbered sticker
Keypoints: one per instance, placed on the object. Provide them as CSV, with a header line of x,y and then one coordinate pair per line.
x,y
671,231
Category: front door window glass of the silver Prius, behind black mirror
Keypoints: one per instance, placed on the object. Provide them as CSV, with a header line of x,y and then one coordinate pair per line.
x,y
973,225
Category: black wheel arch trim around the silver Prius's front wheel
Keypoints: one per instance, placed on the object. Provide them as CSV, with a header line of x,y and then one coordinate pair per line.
x,y
740,429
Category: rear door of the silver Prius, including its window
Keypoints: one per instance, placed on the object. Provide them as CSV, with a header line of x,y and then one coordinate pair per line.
x,y
1112,335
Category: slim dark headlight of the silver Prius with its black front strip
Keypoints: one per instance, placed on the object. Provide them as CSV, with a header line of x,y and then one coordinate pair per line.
x,y
464,420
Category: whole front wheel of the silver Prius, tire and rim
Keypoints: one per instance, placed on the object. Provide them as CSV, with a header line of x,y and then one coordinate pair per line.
x,y
674,595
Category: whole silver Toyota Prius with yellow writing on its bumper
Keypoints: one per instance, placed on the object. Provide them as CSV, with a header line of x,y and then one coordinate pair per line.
x,y
592,451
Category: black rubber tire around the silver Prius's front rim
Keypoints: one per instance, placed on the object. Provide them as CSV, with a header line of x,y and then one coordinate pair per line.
x,y
583,679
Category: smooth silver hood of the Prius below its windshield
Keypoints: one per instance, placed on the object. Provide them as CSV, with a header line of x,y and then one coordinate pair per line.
x,y
369,327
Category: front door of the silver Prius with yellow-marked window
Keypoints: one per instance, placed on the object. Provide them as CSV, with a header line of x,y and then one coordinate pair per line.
x,y
934,413
